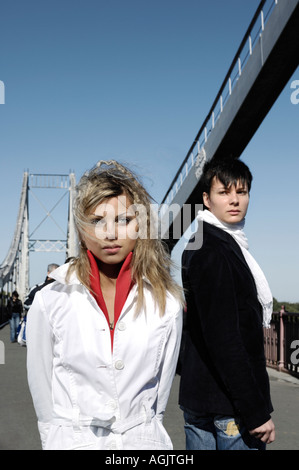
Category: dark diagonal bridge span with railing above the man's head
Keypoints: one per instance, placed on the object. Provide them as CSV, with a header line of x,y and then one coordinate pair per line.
x,y
264,62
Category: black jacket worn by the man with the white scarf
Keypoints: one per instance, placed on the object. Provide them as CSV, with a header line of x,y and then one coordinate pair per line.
x,y
223,368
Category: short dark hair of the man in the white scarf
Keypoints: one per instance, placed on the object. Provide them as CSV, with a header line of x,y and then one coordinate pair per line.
x,y
227,170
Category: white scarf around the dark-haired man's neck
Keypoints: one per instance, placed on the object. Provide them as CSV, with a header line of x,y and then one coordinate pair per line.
x,y
236,231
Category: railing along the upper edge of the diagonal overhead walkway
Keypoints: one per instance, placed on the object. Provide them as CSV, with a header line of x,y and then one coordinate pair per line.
x,y
250,39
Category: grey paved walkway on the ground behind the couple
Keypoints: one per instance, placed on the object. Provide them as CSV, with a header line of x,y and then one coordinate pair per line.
x,y
18,430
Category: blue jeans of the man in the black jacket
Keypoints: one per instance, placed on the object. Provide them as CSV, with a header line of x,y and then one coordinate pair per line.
x,y
218,433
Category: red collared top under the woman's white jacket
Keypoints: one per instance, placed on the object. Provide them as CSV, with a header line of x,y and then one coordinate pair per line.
x,y
124,284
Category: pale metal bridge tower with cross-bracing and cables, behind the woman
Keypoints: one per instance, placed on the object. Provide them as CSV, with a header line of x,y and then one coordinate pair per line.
x,y
14,270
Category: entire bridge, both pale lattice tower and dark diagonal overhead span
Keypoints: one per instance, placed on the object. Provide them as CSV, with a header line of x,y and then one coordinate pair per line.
x,y
263,64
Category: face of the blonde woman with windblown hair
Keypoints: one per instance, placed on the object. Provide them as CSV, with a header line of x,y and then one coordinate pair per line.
x,y
112,231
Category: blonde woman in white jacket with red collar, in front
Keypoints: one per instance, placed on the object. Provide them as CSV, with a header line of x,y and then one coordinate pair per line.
x,y
103,340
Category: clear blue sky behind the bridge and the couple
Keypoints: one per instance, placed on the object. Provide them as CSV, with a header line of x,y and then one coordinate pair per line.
x,y
134,80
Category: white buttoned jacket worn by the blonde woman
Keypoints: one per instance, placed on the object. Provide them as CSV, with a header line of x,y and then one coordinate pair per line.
x,y
87,396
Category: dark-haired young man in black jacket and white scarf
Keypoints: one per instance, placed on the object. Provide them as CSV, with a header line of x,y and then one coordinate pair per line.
x,y
224,388
